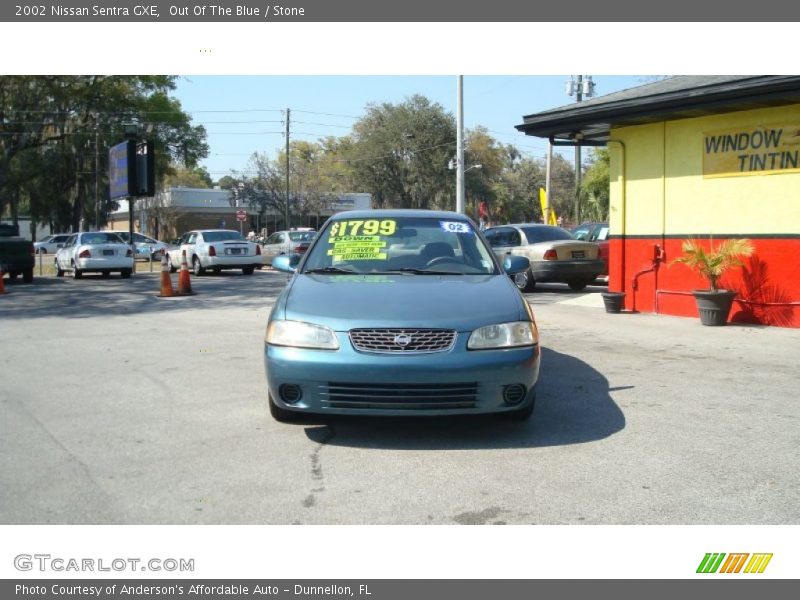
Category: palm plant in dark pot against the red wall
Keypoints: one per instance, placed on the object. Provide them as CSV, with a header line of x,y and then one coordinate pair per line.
x,y
714,304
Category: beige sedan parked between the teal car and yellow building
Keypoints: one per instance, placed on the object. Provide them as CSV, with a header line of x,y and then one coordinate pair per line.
x,y
554,255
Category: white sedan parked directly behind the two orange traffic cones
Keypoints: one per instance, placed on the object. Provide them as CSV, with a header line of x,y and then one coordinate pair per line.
x,y
215,249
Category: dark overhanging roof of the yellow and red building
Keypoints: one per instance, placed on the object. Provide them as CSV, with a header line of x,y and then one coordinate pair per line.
x,y
682,97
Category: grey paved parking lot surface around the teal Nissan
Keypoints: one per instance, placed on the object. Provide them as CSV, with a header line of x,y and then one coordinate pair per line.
x,y
118,407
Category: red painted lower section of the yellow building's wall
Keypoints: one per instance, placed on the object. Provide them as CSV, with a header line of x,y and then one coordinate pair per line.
x,y
768,285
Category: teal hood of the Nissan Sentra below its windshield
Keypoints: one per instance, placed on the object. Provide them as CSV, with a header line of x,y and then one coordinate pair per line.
x,y
344,302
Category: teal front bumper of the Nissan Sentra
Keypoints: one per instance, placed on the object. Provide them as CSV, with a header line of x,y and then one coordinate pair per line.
x,y
349,382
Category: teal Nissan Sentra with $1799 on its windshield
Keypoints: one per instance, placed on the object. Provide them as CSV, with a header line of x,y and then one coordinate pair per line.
x,y
399,313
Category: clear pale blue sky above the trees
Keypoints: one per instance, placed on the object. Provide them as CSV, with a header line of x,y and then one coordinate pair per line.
x,y
245,114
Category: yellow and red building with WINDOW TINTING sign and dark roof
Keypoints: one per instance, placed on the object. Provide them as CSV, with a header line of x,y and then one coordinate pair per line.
x,y
703,157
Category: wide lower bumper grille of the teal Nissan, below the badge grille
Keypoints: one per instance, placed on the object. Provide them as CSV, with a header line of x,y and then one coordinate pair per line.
x,y
400,396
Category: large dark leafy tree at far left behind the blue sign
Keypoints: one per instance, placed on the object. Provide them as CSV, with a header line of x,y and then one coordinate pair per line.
x,y
66,124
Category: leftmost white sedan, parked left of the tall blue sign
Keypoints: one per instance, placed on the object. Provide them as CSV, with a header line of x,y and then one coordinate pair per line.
x,y
94,252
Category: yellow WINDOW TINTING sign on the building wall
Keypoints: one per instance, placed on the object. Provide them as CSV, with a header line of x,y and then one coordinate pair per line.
x,y
752,150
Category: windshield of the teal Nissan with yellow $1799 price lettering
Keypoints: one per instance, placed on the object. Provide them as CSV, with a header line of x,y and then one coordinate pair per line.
x,y
414,245
